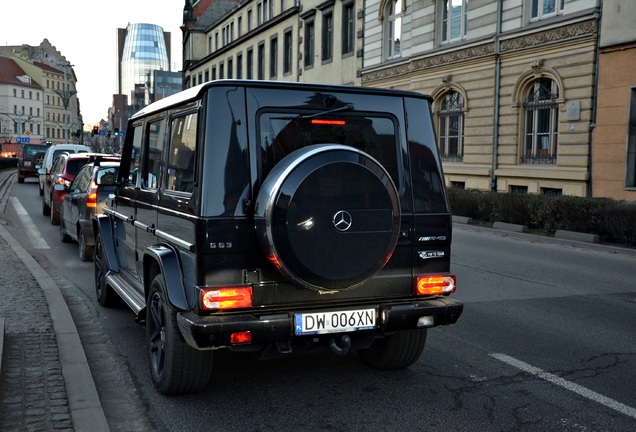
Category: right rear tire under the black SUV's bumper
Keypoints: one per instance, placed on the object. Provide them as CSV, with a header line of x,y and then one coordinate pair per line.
x,y
396,351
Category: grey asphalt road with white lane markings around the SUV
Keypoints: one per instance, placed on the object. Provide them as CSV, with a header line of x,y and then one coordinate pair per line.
x,y
547,342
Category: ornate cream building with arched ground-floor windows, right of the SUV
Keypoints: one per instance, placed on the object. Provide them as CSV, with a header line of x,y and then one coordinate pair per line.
x,y
513,82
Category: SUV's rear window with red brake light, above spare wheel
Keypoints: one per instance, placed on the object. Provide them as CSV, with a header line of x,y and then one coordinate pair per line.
x,y
281,133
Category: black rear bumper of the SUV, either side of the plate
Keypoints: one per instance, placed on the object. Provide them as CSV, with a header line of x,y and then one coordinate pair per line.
x,y
214,331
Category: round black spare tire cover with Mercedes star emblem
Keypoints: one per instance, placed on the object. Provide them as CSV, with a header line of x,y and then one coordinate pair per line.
x,y
328,217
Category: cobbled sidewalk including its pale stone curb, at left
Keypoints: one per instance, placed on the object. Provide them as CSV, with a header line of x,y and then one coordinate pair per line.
x,y
45,381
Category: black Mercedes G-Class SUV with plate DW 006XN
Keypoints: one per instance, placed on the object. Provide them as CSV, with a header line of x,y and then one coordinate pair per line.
x,y
278,218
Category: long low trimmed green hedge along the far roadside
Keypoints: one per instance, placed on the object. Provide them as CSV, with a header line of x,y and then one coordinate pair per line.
x,y
613,221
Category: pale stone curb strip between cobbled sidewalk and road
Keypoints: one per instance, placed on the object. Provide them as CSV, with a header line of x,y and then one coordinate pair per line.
x,y
83,400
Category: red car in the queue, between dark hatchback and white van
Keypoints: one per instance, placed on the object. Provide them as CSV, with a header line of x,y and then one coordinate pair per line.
x,y
63,171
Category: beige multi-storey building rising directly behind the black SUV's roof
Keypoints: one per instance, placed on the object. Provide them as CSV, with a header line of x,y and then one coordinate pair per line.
x,y
287,40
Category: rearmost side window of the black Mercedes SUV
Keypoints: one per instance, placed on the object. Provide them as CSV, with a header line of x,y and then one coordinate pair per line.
x,y
181,160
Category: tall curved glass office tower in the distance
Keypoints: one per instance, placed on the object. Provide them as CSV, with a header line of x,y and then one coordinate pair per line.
x,y
144,50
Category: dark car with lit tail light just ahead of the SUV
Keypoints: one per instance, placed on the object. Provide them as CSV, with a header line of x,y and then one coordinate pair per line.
x,y
84,199
